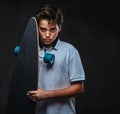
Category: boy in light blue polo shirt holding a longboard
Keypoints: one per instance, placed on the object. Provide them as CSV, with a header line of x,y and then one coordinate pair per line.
x,y
58,84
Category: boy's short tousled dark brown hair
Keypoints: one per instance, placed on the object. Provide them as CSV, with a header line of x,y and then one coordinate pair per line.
x,y
52,13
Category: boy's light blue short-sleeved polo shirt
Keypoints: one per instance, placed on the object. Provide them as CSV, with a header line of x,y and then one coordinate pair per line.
x,y
67,68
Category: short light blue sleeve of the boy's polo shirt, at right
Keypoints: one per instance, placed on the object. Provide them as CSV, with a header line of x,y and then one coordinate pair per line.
x,y
76,71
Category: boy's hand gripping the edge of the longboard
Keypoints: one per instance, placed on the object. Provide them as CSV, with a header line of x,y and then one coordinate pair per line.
x,y
36,95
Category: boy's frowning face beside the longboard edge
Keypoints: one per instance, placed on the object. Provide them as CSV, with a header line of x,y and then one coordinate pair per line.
x,y
48,32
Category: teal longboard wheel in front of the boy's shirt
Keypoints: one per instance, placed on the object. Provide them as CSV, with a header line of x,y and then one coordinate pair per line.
x,y
49,58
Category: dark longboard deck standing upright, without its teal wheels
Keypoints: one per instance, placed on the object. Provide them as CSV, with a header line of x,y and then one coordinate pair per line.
x,y
25,75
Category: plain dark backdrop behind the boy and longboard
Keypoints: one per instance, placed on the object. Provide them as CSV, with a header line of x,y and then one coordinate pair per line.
x,y
92,27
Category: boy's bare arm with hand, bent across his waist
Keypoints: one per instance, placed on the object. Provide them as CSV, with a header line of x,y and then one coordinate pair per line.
x,y
41,94
